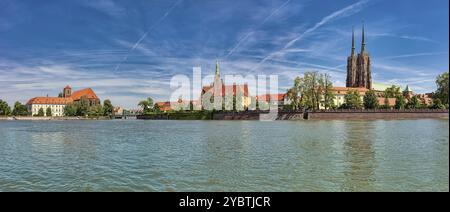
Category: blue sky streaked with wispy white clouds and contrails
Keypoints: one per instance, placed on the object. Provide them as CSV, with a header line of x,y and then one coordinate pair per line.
x,y
128,50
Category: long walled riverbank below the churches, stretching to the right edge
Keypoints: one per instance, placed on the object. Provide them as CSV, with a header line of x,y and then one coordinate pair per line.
x,y
314,115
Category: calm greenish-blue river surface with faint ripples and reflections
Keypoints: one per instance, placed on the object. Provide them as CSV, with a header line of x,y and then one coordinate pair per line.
x,y
381,155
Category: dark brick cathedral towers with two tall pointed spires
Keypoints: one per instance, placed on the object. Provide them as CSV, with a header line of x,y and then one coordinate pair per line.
x,y
358,66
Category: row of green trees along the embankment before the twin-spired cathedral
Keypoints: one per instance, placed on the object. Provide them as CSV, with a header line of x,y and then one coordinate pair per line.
x,y
314,90
